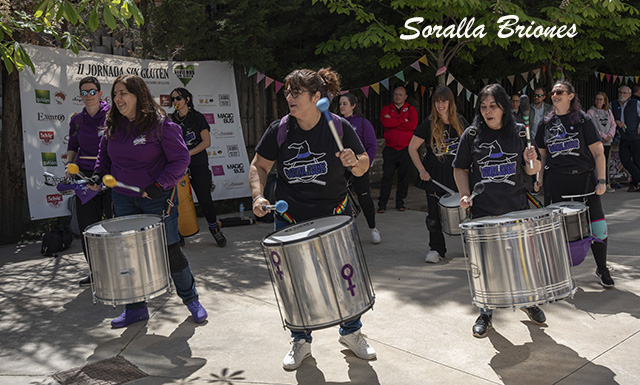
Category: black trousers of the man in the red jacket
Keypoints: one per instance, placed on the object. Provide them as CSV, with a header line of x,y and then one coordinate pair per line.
x,y
394,160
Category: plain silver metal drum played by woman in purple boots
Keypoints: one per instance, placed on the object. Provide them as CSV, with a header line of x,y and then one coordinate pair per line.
x,y
128,258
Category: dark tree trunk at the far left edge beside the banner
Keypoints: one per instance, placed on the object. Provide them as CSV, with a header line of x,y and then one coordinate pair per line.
x,y
14,211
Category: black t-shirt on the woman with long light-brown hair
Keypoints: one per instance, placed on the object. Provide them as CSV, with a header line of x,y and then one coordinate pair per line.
x,y
438,164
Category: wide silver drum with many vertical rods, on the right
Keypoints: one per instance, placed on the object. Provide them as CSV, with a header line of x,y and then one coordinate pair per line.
x,y
518,259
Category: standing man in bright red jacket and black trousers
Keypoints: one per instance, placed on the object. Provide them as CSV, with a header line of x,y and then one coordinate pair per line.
x,y
399,119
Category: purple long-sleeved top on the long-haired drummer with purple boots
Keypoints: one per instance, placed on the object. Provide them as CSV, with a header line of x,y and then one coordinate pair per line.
x,y
140,160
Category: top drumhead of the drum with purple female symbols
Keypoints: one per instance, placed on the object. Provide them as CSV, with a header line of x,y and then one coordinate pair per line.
x,y
307,230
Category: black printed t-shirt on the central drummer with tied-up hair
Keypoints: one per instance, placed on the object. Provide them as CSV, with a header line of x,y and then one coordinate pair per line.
x,y
310,176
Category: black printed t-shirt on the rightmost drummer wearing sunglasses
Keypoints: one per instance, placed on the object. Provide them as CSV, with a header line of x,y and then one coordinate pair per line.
x,y
568,144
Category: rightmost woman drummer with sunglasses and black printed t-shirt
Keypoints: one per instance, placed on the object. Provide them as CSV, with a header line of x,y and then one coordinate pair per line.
x,y
575,164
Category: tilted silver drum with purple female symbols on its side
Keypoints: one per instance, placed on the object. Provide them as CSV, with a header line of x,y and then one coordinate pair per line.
x,y
318,272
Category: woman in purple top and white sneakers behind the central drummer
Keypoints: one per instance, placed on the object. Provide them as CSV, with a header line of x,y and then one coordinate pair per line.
x,y
350,110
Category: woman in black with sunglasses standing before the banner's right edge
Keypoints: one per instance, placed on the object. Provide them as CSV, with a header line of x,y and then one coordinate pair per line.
x,y
195,131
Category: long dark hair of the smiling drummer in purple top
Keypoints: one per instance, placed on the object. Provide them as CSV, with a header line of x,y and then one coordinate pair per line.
x,y
149,114
